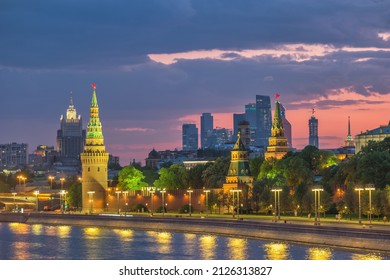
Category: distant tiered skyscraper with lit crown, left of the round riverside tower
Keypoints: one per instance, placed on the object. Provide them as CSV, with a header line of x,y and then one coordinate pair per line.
x,y
70,137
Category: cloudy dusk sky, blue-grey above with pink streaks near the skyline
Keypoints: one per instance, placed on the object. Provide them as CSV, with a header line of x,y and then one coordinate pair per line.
x,y
161,63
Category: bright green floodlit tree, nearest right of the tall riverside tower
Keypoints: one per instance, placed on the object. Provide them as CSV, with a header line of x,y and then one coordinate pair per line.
x,y
130,178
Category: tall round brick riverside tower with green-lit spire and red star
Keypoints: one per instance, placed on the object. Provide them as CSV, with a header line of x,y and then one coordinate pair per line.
x,y
94,161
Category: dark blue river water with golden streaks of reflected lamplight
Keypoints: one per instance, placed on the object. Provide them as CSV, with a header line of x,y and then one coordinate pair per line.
x,y
44,242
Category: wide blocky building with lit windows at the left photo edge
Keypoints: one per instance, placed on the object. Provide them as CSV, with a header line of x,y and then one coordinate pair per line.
x,y
13,154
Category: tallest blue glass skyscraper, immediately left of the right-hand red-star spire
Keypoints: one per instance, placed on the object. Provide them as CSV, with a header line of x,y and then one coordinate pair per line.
x,y
263,120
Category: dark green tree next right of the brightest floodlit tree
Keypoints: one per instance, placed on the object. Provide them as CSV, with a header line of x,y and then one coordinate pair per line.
x,y
174,177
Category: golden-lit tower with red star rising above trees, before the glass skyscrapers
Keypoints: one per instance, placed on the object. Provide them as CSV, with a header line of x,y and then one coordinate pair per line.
x,y
277,143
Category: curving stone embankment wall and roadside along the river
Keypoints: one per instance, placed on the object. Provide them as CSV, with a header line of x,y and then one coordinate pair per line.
x,y
342,235
